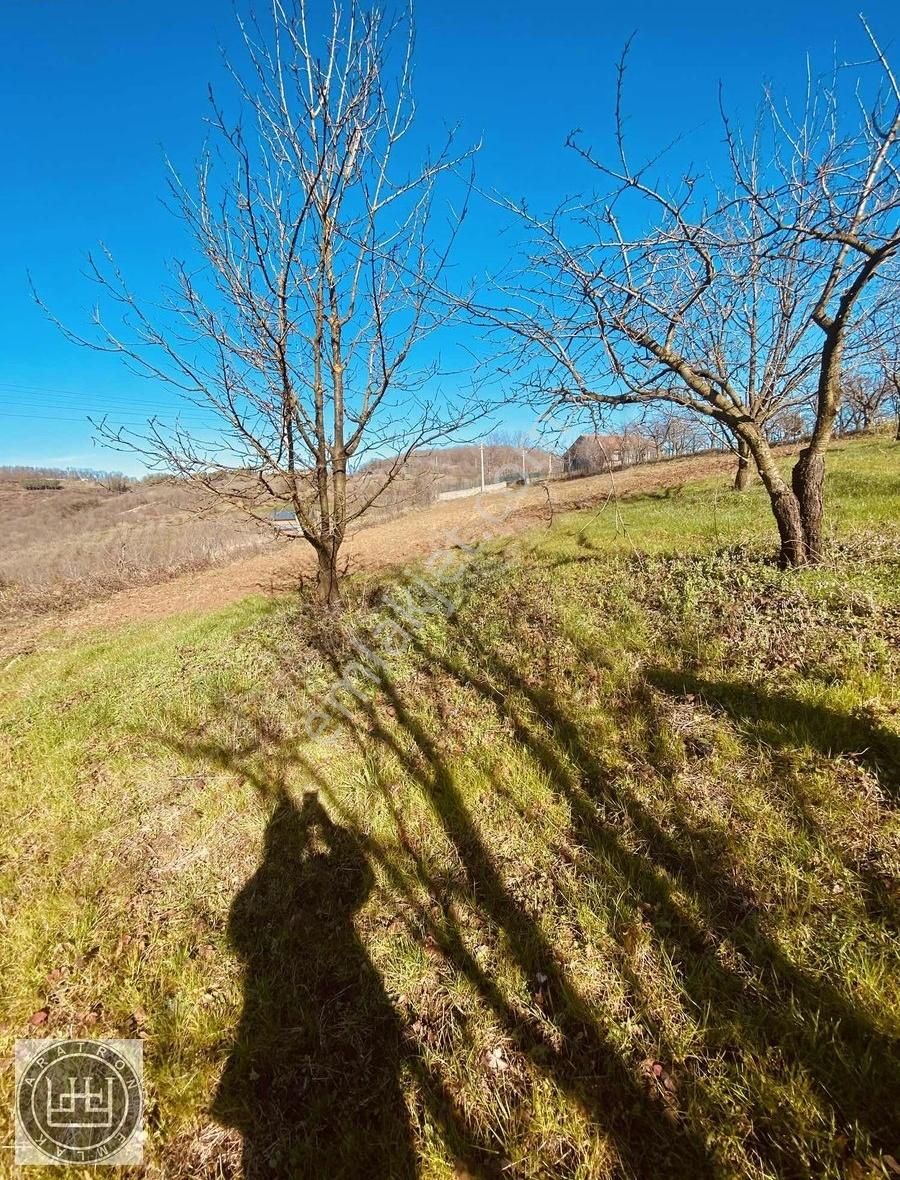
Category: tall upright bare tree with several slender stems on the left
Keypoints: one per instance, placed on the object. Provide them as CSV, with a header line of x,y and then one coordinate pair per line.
x,y
297,325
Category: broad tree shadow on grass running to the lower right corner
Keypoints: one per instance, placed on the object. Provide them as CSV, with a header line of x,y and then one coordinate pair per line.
x,y
785,1006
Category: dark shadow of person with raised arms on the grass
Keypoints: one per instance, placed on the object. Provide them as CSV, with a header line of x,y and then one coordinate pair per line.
x,y
313,1079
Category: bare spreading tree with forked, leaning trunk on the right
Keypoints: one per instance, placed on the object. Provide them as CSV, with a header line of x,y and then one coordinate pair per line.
x,y
734,303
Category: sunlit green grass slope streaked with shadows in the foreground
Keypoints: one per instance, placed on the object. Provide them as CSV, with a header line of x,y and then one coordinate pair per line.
x,y
596,875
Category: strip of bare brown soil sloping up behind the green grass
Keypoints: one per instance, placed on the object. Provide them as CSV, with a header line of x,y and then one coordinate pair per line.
x,y
283,567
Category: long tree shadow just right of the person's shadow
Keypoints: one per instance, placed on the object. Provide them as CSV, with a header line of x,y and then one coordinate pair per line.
x,y
569,1044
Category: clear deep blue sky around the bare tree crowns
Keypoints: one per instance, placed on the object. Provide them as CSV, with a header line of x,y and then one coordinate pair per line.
x,y
94,93
